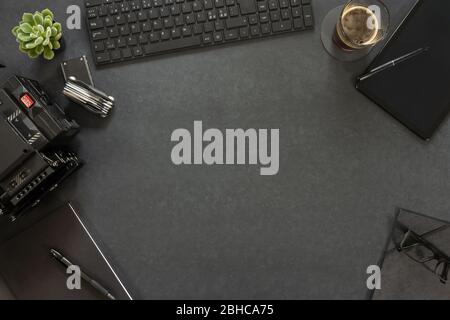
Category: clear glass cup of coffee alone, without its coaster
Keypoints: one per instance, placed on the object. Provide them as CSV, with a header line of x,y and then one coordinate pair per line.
x,y
362,24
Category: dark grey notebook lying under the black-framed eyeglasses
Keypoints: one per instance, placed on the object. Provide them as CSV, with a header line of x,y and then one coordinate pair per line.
x,y
404,279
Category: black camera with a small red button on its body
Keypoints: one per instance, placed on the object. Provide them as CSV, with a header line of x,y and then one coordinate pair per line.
x,y
34,158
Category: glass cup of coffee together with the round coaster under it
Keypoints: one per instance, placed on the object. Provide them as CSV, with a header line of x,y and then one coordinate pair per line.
x,y
349,32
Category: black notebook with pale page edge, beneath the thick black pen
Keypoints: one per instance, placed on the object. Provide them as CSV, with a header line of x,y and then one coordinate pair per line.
x,y
29,272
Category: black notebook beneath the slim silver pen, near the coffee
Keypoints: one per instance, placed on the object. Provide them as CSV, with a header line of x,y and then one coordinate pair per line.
x,y
416,90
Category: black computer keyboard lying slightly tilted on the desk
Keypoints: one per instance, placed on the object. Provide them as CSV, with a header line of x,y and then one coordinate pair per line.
x,y
125,30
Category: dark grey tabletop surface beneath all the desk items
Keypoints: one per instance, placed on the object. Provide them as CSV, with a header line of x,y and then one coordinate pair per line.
x,y
225,231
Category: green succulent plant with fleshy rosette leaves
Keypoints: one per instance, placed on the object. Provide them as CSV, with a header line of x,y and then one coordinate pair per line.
x,y
37,34
